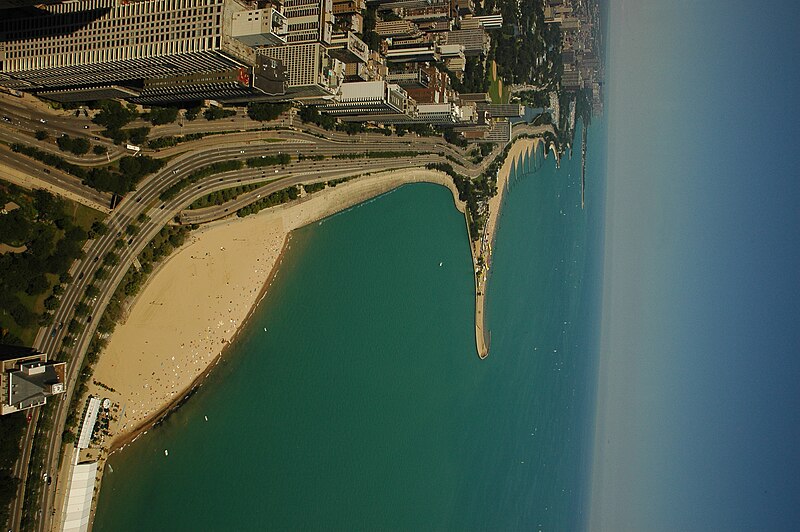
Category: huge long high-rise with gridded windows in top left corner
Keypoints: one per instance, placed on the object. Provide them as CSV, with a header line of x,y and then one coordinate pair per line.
x,y
90,43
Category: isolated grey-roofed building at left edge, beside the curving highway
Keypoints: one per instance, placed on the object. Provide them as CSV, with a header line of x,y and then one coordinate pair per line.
x,y
27,379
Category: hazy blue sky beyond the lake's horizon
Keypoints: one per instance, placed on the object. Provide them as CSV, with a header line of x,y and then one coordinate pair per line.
x,y
698,421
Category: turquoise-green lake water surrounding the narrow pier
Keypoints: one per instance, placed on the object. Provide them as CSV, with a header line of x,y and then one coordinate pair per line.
x,y
364,405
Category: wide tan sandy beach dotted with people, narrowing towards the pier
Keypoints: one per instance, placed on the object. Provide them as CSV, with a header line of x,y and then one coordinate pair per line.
x,y
194,304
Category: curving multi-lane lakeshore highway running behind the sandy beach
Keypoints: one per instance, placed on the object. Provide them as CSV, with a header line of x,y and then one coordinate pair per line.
x,y
145,199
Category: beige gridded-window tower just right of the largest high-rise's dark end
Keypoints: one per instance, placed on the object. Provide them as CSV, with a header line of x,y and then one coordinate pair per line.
x,y
312,74
